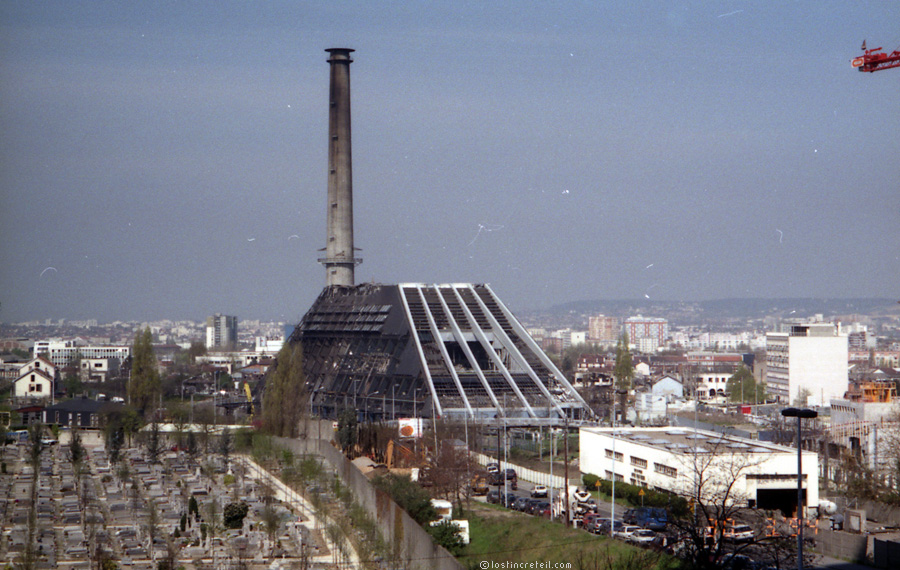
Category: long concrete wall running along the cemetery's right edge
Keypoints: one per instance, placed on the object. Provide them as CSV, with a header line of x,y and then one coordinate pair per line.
x,y
411,545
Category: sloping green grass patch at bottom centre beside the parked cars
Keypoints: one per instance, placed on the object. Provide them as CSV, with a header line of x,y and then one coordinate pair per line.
x,y
501,535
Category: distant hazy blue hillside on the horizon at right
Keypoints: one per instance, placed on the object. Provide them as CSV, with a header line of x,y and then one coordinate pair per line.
x,y
723,310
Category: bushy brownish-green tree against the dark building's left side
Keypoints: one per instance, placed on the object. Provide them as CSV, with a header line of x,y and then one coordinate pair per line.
x,y
285,393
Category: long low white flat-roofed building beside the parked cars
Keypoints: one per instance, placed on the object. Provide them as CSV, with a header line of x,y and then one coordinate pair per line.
x,y
757,474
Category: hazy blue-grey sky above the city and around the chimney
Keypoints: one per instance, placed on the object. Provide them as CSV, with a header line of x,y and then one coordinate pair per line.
x,y
168,159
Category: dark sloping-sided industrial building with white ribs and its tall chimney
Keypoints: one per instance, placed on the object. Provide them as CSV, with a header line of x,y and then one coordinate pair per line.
x,y
414,349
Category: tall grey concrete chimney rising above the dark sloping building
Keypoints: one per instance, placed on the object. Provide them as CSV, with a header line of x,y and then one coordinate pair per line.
x,y
339,260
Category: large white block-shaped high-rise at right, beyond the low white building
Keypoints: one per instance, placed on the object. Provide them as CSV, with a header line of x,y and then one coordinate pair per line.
x,y
807,361
